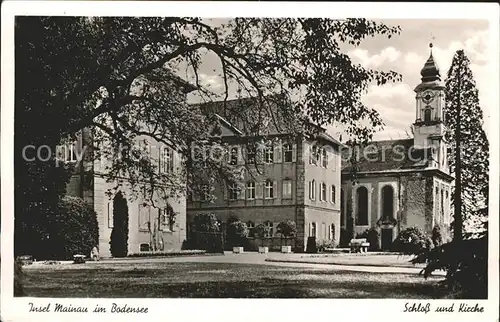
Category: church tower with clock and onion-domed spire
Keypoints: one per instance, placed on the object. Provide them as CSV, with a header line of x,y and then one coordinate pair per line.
x,y
429,126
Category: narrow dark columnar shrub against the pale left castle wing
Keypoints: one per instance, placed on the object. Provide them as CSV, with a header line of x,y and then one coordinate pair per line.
x,y
119,235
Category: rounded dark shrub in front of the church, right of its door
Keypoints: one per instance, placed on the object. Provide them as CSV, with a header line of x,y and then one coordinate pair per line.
x,y
412,241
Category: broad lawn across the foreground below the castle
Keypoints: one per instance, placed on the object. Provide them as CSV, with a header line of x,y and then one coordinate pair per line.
x,y
222,280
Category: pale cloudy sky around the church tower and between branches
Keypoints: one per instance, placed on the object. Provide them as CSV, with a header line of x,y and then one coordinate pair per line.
x,y
406,54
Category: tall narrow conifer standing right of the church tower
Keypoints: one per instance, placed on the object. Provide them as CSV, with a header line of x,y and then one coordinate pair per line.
x,y
468,151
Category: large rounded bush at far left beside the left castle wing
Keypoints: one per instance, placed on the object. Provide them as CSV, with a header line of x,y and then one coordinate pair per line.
x,y
72,230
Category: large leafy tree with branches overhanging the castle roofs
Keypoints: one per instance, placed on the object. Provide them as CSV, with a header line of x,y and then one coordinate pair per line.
x,y
115,77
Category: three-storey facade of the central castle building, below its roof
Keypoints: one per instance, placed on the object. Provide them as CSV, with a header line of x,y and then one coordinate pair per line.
x,y
286,179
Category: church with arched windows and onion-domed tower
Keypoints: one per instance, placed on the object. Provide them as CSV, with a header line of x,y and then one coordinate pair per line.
x,y
394,184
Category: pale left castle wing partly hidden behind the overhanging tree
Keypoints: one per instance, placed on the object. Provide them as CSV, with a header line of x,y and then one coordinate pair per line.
x,y
158,227
